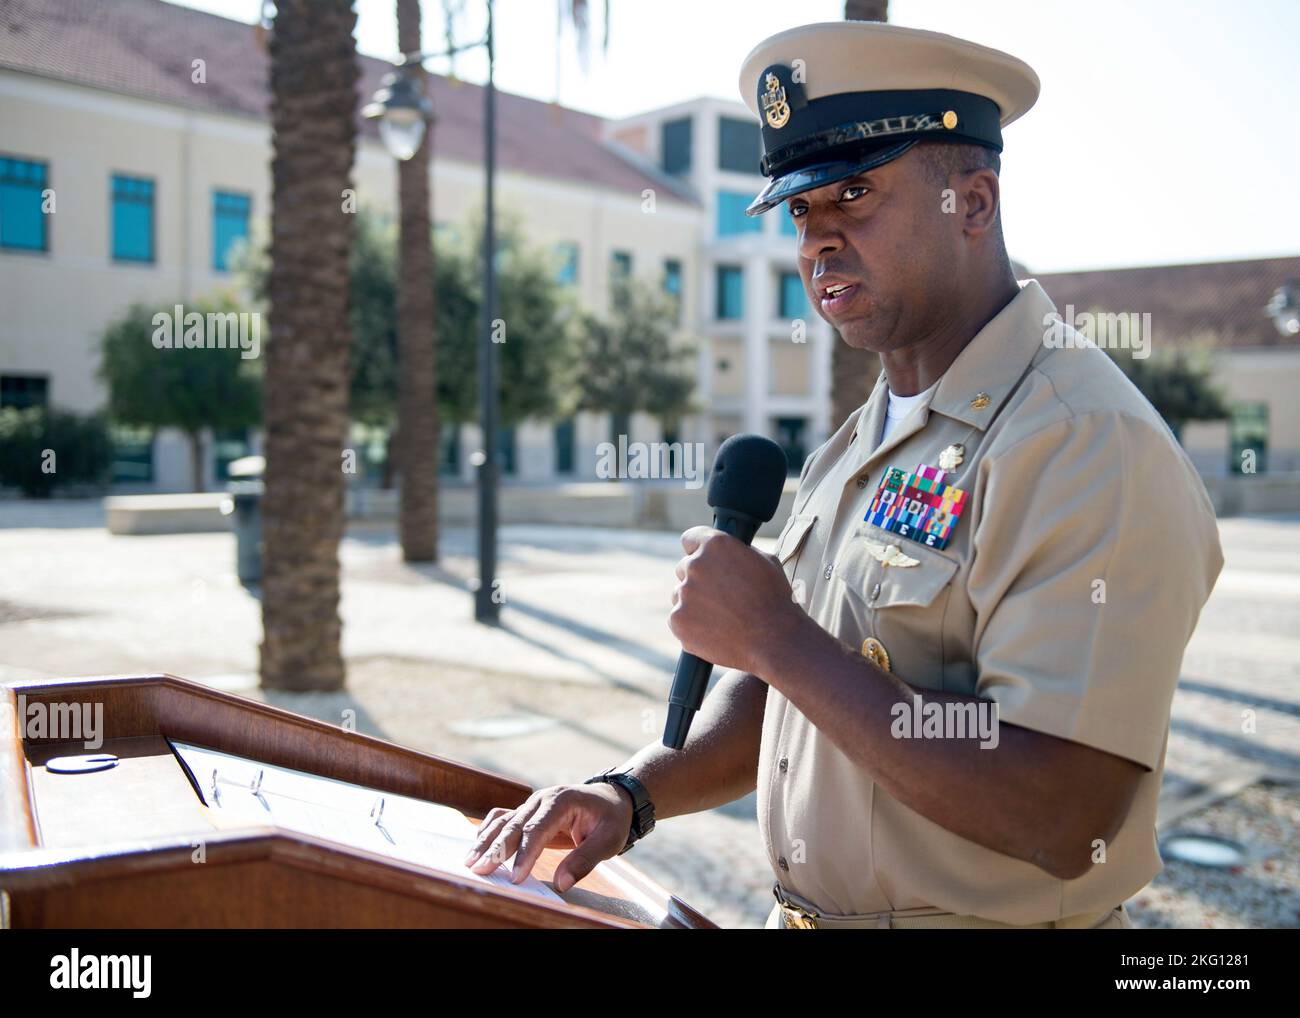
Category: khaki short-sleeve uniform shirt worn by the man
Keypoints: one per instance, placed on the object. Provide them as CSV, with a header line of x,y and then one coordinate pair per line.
x,y
1068,592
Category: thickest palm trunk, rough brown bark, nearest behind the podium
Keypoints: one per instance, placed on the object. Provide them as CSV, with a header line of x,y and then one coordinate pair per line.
x,y
314,73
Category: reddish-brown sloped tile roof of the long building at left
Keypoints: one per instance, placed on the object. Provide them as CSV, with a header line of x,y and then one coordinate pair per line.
x,y
145,49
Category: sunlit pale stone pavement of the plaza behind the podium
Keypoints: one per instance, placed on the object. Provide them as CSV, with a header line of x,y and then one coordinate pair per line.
x,y
575,679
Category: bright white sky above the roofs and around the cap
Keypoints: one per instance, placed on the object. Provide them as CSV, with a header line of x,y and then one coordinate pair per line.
x,y
1168,131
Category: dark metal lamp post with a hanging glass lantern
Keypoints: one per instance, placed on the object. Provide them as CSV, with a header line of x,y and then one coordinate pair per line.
x,y
402,114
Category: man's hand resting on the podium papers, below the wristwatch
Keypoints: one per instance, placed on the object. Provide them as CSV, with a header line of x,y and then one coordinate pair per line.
x,y
597,818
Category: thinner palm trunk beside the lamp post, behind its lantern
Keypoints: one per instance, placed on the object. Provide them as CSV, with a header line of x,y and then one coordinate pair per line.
x,y
418,402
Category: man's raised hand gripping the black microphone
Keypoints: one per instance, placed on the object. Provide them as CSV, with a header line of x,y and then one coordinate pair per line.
x,y
731,601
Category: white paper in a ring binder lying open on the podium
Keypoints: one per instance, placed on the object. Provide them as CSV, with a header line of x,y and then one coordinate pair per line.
x,y
242,791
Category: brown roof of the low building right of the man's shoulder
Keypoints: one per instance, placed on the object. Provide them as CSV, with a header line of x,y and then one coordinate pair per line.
x,y
1219,301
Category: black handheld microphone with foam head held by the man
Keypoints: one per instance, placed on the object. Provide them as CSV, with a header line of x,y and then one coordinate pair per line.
x,y
744,492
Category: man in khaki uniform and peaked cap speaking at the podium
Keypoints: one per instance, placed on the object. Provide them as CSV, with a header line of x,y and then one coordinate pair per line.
x,y
951,687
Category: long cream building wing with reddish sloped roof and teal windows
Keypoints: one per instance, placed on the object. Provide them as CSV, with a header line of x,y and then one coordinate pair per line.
x,y
142,128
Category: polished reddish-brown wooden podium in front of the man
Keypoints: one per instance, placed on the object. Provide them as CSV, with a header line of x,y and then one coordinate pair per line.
x,y
119,848
